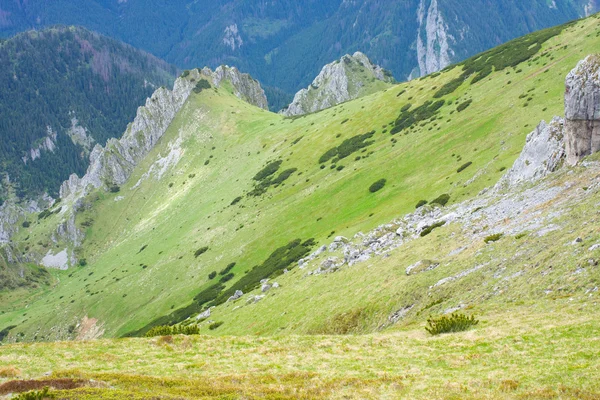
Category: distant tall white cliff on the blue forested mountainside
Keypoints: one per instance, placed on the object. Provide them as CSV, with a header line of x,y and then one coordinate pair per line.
x,y
433,40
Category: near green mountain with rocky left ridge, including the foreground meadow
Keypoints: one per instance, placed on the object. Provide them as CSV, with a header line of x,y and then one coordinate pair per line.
x,y
312,252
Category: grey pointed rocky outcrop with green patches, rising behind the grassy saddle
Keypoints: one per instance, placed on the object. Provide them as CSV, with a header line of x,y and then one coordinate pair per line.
x,y
346,79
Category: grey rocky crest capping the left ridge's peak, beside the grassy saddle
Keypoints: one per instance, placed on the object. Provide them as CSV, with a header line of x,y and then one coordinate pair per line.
x,y
246,87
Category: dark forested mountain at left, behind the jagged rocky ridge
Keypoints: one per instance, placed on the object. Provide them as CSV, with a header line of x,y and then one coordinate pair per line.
x,y
66,89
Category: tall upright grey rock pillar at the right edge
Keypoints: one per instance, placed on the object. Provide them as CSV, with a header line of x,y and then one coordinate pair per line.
x,y
582,110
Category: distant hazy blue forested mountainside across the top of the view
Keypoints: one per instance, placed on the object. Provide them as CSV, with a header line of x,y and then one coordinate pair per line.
x,y
284,44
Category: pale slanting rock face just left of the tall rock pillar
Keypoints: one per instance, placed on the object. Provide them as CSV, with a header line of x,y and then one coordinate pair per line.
x,y
543,152
